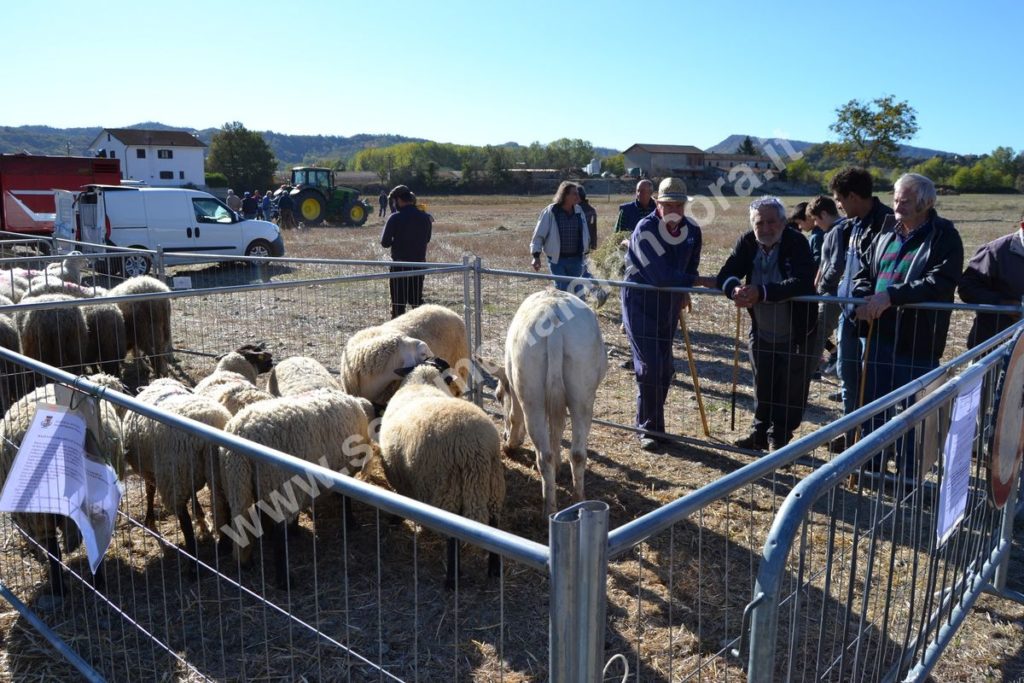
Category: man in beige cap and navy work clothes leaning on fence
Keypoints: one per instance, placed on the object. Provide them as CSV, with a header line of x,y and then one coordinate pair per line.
x,y
664,251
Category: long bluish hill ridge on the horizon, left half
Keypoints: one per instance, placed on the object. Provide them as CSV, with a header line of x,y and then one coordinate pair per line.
x,y
289,150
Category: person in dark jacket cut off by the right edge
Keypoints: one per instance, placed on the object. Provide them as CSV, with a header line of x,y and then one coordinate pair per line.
x,y
996,277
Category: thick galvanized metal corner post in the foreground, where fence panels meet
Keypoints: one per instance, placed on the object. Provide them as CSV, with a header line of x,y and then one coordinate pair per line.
x,y
579,538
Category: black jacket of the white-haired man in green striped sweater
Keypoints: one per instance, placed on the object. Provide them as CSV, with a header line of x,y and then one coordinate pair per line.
x,y
920,334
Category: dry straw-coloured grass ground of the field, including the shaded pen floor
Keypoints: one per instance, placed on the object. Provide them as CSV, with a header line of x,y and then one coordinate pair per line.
x,y
673,604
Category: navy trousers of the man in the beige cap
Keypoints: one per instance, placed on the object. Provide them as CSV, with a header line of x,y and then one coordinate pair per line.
x,y
651,320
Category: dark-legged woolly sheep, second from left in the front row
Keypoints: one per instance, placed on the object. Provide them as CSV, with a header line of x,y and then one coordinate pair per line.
x,y
174,461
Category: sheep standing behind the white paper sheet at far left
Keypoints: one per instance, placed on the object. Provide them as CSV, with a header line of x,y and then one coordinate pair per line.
x,y
110,446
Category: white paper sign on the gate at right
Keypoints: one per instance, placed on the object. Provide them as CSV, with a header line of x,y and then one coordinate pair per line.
x,y
957,460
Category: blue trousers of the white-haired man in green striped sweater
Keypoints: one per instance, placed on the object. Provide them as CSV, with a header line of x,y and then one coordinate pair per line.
x,y
889,369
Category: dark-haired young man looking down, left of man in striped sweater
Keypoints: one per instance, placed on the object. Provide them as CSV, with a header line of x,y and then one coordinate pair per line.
x,y
852,190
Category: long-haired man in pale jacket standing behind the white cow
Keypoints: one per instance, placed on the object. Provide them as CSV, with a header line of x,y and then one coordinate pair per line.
x,y
562,234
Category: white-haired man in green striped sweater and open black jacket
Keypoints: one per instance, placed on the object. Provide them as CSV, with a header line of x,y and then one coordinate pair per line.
x,y
919,261
